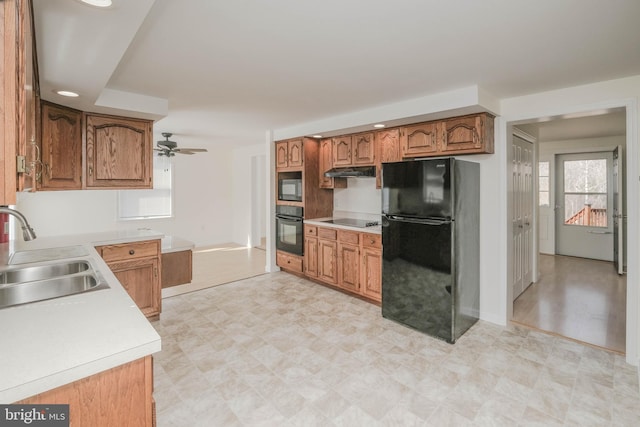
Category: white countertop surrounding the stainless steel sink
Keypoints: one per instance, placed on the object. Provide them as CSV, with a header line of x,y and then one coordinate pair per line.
x,y
50,343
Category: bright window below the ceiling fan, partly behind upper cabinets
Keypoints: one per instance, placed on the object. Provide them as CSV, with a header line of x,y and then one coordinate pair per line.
x,y
155,203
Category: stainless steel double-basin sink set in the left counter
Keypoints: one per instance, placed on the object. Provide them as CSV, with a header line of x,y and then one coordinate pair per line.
x,y
37,281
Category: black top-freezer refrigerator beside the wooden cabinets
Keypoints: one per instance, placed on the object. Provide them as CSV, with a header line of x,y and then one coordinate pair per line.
x,y
430,245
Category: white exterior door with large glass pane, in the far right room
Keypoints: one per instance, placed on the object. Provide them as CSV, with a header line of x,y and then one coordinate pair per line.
x,y
584,205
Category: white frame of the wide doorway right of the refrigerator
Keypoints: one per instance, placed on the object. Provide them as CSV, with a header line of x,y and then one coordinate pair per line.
x,y
504,132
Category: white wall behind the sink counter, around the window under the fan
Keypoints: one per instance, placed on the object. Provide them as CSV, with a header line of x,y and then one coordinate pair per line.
x,y
202,201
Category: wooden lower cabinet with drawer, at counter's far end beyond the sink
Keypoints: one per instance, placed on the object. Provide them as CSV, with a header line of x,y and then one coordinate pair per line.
x,y
137,267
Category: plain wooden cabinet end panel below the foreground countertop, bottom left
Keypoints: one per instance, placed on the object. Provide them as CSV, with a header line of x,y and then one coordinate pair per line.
x,y
121,396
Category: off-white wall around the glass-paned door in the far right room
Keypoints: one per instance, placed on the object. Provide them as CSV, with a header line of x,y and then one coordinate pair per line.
x,y
546,153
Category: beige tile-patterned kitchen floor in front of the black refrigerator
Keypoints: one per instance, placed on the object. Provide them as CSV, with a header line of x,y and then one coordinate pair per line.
x,y
277,350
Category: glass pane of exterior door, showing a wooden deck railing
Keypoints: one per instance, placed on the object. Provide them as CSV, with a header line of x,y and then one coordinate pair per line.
x,y
585,192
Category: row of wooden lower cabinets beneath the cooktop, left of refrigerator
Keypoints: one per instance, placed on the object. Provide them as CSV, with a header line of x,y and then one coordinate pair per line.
x,y
346,259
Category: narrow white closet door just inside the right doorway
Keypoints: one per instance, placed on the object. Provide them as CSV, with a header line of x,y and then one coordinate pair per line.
x,y
522,216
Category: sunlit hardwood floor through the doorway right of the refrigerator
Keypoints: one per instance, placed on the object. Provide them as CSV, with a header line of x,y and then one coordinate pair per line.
x,y
581,299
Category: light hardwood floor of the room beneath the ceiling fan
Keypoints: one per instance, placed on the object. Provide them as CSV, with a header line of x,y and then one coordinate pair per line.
x,y
216,265
